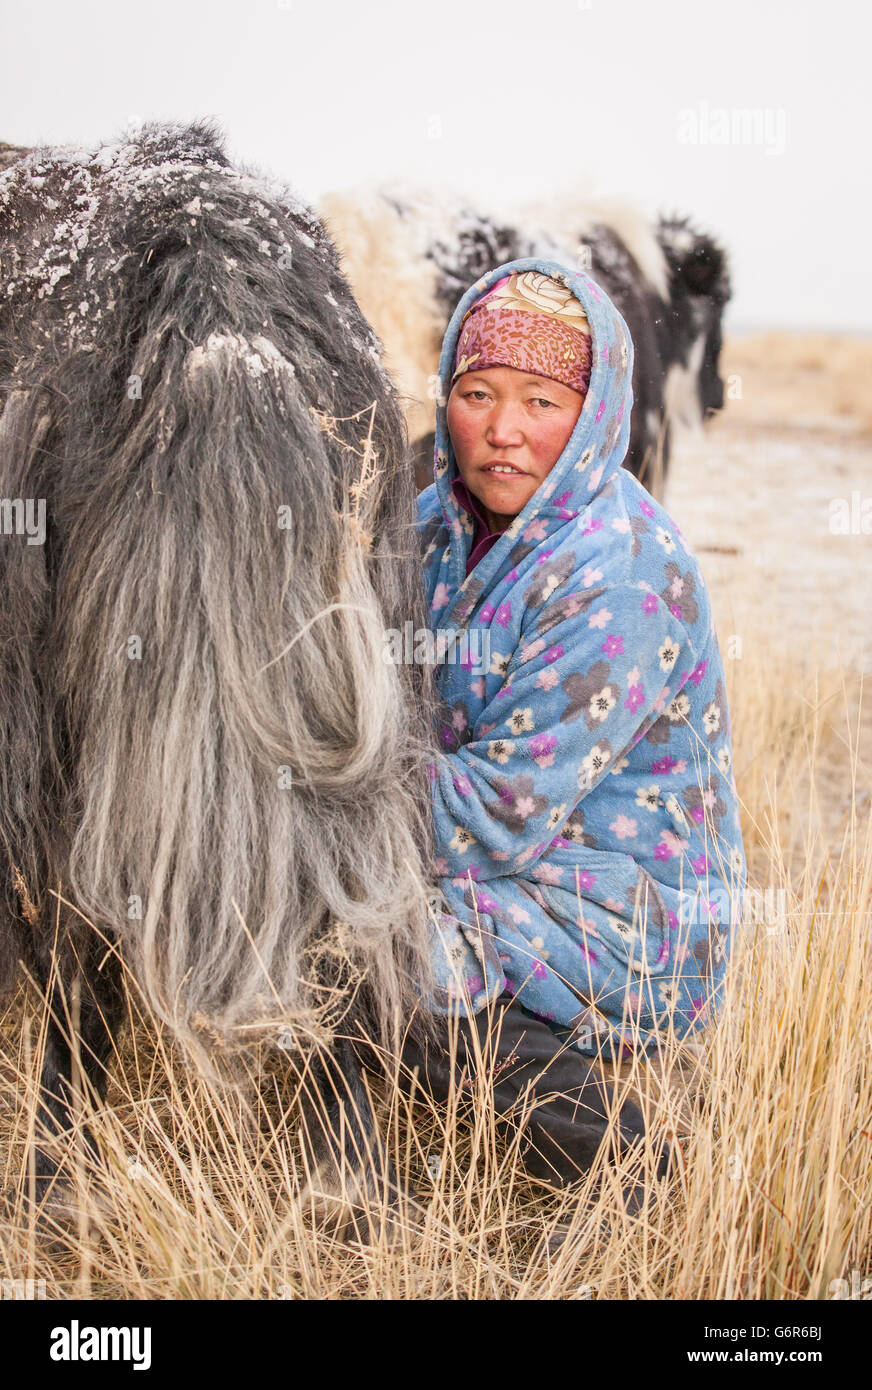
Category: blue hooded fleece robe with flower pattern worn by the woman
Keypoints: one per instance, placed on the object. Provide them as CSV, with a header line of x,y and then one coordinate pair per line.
x,y
589,847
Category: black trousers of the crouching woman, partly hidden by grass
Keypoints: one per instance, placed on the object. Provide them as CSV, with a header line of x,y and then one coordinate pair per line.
x,y
542,1086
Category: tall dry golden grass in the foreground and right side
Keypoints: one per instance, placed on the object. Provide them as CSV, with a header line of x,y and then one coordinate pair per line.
x,y
198,1195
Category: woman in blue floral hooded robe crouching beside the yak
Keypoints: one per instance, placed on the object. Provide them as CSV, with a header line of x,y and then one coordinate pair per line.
x,y
589,846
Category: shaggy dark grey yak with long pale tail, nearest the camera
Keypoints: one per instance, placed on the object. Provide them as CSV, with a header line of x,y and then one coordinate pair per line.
x,y
208,528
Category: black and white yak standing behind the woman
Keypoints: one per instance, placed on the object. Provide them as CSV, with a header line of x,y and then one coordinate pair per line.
x,y
411,256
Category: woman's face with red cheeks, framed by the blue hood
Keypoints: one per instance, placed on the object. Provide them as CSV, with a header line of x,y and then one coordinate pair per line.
x,y
508,430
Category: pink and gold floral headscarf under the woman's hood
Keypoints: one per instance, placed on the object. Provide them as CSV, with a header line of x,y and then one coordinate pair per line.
x,y
532,323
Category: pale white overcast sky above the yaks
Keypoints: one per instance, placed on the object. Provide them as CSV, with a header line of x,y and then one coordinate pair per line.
x,y
507,99
